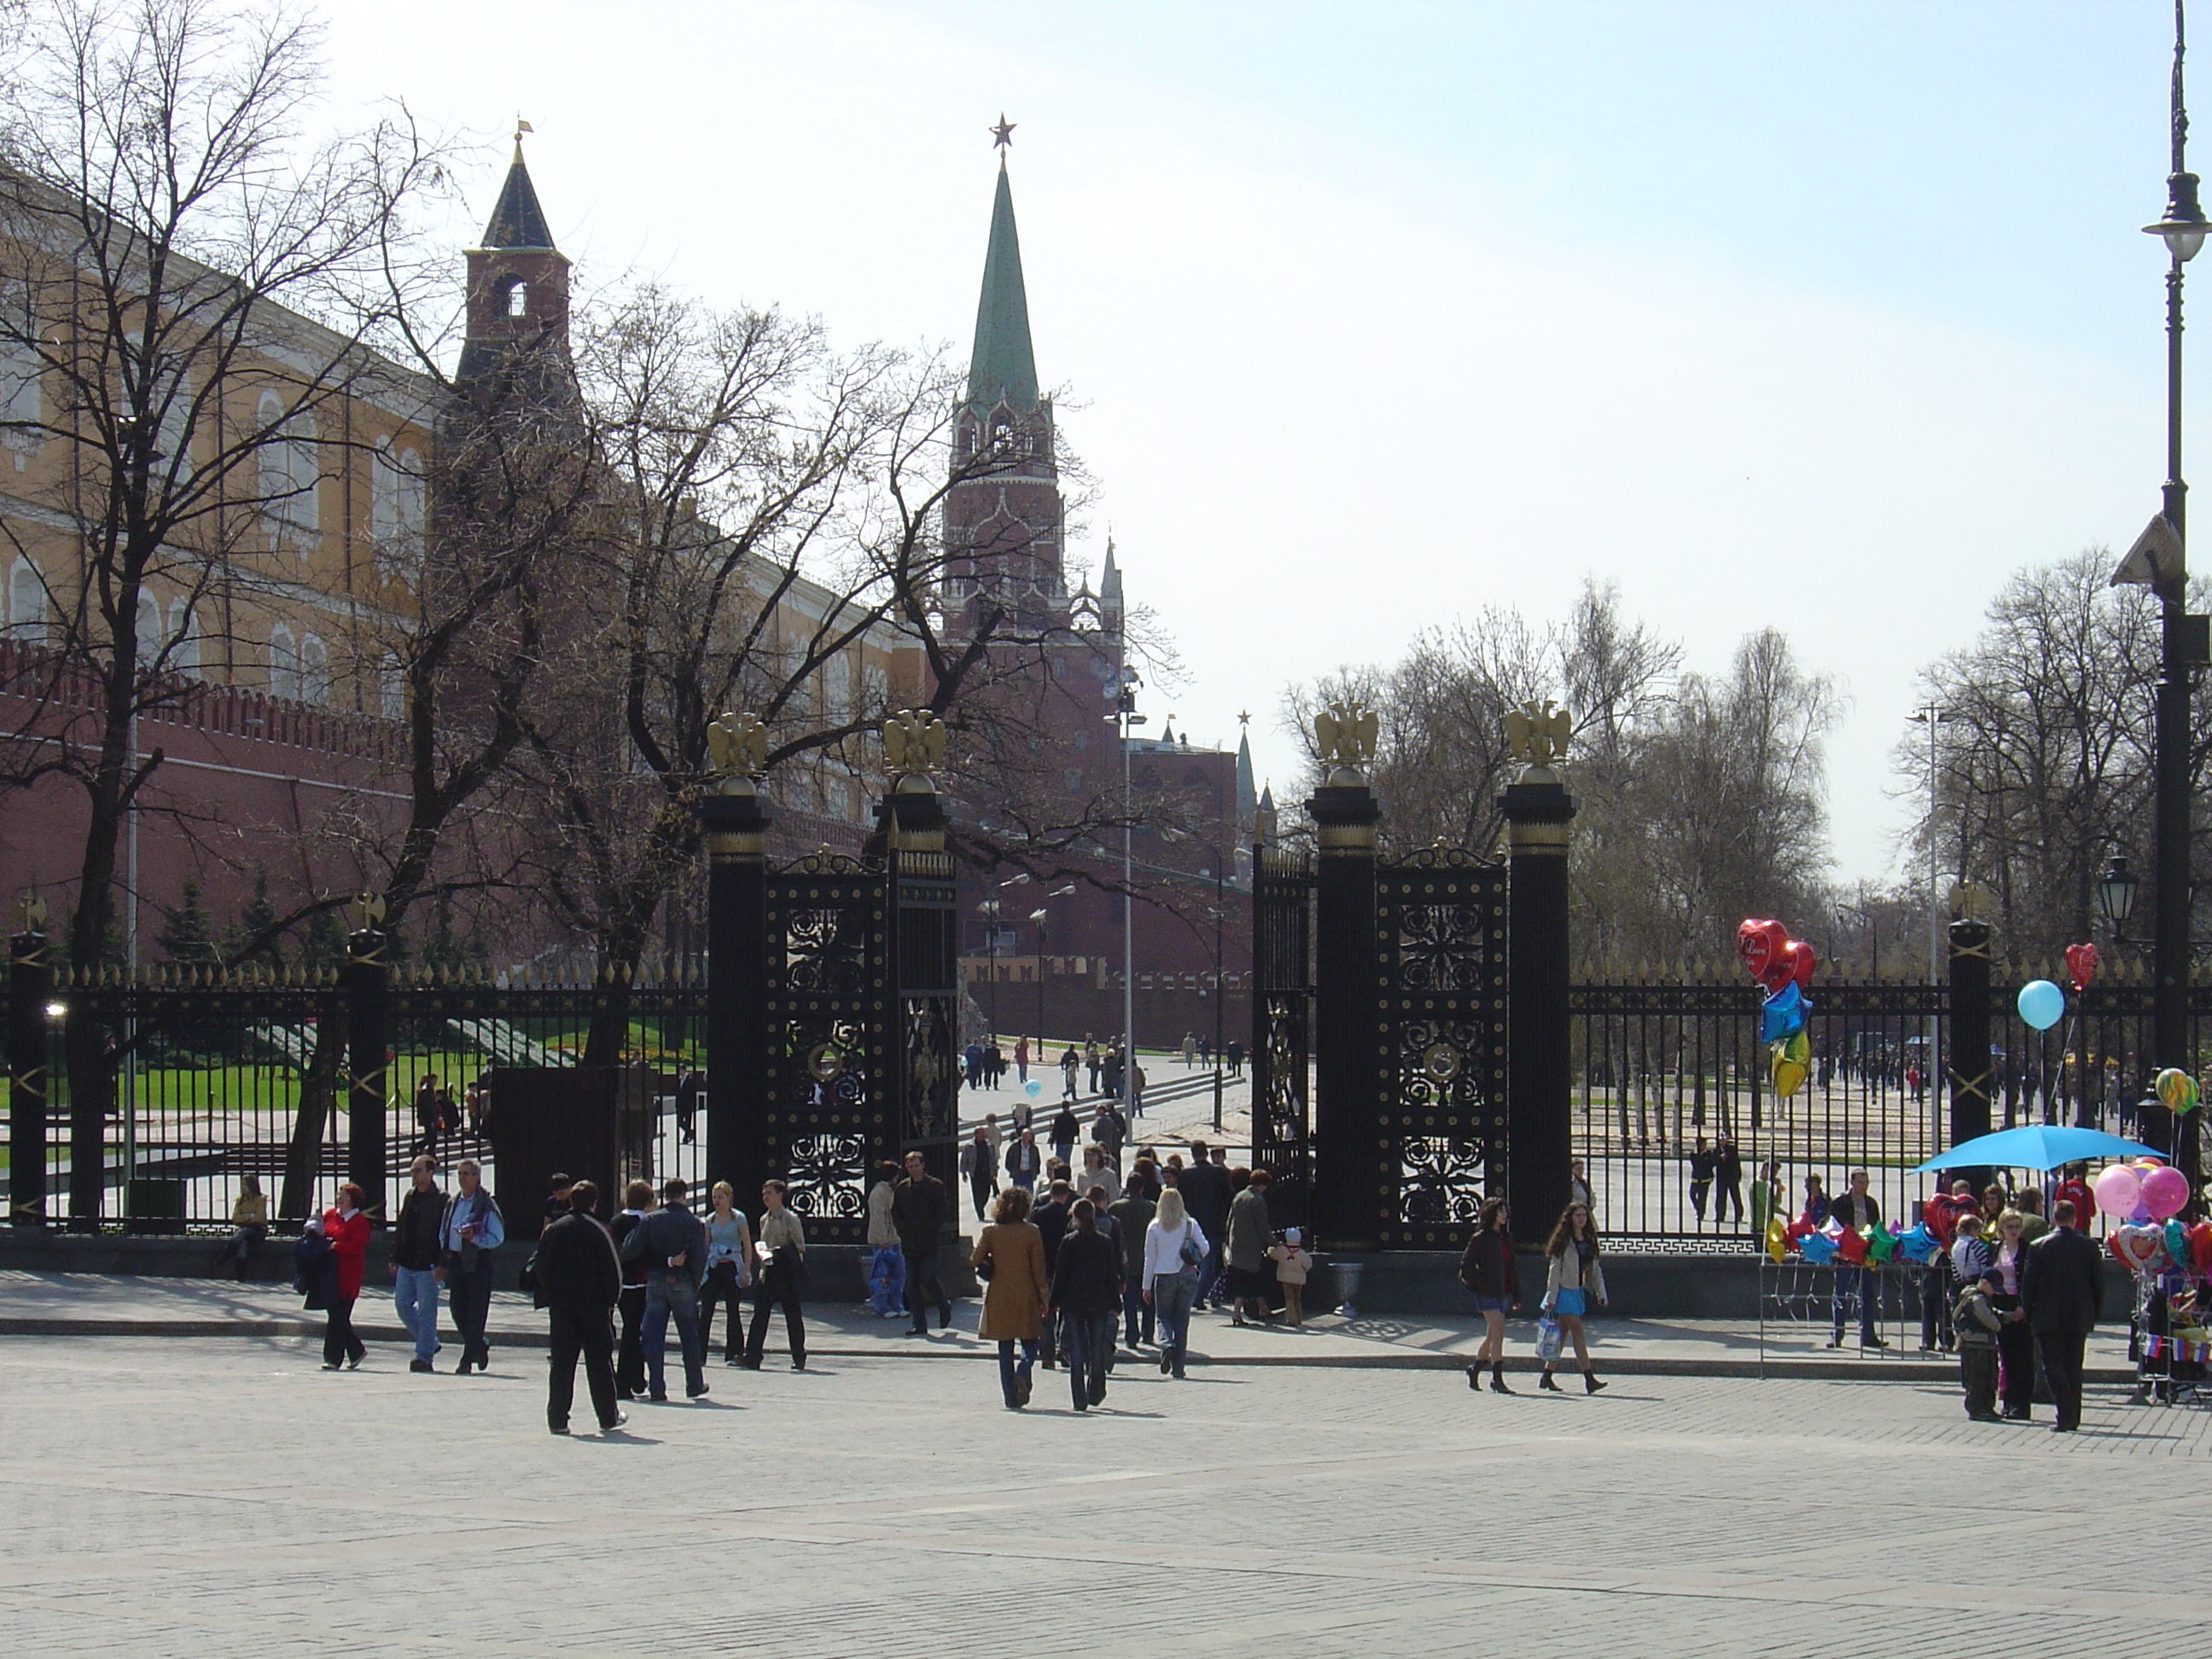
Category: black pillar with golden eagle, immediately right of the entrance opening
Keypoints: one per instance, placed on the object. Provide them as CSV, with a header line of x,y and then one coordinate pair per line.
x,y
1348,1074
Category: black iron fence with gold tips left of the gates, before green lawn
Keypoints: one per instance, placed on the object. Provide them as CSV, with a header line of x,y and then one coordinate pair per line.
x,y
167,1098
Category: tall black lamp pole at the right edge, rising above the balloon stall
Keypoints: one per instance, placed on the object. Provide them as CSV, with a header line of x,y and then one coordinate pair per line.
x,y
2158,561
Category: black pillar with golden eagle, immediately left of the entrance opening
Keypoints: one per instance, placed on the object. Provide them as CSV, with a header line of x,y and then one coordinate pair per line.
x,y
926,950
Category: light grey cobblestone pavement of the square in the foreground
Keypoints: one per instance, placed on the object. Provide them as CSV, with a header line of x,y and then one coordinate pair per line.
x,y
174,1496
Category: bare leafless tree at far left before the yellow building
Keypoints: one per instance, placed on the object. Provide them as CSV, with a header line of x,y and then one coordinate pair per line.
x,y
169,251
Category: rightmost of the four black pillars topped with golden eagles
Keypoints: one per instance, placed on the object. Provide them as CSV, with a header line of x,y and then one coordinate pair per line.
x,y
1541,1076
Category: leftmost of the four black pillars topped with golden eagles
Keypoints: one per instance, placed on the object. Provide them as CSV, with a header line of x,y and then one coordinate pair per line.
x,y
738,1039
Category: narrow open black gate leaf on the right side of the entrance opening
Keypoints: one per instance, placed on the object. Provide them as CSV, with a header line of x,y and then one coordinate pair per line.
x,y
1282,1008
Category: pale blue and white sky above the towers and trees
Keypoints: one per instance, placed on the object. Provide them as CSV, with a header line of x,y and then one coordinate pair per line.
x,y
1822,317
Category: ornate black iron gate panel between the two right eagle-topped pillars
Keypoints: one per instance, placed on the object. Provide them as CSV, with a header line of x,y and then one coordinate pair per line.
x,y
1441,1043
